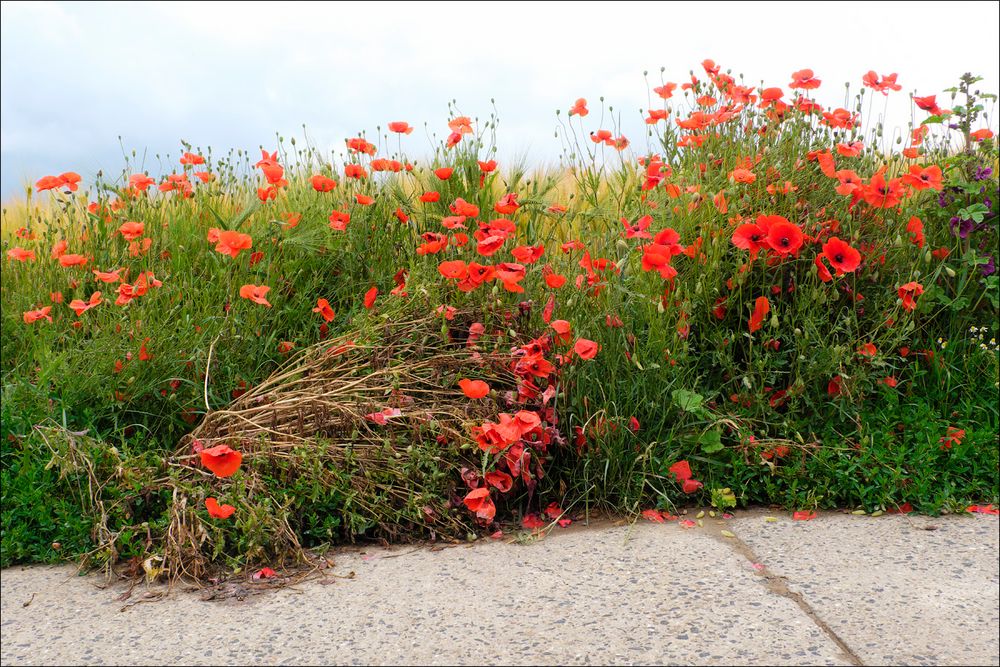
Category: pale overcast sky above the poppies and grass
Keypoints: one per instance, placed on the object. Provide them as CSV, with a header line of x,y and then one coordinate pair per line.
x,y
76,76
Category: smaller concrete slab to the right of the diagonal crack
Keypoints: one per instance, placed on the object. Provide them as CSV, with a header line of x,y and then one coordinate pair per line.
x,y
896,589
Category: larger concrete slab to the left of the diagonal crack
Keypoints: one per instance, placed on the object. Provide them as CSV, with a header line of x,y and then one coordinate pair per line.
x,y
650,594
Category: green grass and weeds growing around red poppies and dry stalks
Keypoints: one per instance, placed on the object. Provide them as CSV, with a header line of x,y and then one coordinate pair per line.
x,y
683,362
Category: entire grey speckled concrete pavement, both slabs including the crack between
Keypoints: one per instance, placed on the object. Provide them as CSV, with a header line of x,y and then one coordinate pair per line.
x,y
839,589
